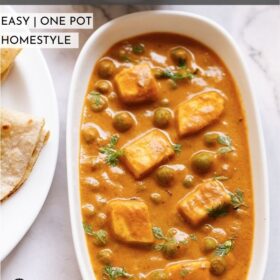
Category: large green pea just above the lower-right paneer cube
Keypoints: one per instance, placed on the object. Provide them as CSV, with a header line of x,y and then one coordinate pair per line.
x,y
202,162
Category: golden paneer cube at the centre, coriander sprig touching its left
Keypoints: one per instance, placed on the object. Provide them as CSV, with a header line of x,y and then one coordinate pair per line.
x,y
146,152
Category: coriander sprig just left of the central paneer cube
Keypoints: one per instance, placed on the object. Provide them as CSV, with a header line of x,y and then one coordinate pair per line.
x,y
112,154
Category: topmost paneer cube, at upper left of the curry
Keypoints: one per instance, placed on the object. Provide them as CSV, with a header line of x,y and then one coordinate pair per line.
x,y
136,84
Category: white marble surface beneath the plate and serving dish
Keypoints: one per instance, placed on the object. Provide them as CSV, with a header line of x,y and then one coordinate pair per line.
x,y
46,252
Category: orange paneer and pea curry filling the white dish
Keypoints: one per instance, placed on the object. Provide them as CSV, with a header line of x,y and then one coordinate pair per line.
x,y
151,236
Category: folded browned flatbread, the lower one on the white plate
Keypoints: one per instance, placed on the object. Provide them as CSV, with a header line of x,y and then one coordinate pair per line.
x,y
22,138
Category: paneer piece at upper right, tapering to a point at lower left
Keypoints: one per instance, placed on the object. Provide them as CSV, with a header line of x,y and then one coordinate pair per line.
x,y
198,112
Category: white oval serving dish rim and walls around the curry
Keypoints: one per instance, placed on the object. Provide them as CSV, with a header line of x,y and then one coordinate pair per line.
x,y
213,36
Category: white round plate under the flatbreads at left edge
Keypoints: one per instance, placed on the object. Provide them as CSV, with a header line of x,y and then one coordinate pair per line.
x,y
29,88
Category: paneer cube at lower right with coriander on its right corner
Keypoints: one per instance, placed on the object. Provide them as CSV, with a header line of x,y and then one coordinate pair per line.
x,y
197,205
